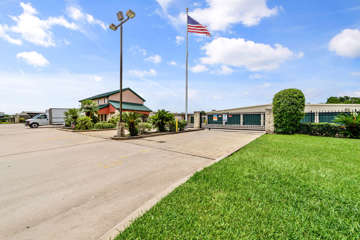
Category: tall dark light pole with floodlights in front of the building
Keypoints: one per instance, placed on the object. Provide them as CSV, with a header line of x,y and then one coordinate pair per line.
x,y
122,20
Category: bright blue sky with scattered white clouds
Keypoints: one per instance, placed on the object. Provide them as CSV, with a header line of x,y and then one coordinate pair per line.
x,y
55,52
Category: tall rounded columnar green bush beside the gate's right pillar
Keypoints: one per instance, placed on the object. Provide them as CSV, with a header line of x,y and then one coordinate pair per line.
x,y
288,109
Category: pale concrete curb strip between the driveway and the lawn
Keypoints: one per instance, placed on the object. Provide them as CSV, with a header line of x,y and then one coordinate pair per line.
x,y
121,226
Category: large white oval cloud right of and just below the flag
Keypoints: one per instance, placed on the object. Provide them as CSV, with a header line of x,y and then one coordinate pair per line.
x,y
238,52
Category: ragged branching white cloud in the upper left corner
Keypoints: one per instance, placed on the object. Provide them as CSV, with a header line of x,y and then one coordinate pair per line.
x,y
33,29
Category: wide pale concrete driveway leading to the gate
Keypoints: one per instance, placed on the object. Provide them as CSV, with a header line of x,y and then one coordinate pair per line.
x,y
64,185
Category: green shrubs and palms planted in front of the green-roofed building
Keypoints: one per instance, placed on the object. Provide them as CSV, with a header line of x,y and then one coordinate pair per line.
x,y
86,118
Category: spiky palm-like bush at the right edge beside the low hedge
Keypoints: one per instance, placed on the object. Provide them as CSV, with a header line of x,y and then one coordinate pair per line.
x,y
351,123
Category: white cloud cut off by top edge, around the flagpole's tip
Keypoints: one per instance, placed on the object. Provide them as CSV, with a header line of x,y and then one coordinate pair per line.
x,y
227,12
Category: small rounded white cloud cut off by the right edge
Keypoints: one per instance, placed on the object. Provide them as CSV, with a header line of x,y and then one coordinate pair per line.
x,y
346,43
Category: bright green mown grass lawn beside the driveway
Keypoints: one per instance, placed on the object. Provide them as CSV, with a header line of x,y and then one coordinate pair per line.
x,y
277,187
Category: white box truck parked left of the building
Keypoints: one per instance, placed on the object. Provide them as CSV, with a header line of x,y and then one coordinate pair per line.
x,y
52,116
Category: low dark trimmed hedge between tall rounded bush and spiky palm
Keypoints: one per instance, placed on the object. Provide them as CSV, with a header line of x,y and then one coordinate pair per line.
x,y
322,129
